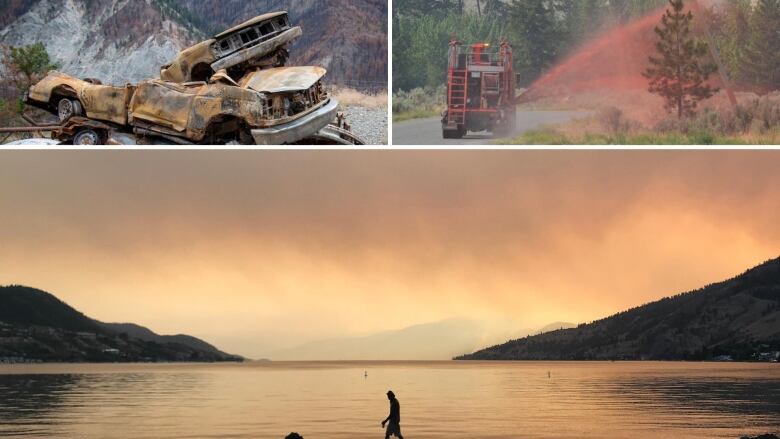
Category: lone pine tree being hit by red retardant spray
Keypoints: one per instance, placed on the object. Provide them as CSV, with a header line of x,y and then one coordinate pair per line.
x,y
679,74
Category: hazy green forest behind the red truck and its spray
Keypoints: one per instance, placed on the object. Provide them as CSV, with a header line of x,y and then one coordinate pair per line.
x,y
544,32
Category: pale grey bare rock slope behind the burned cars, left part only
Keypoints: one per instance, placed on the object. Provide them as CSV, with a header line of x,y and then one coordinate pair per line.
x,y
117,41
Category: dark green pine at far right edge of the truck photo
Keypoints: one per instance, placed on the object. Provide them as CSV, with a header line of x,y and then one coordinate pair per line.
x,y
761,62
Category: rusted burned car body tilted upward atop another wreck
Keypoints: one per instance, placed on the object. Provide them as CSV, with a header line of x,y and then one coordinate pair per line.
x,y
258,43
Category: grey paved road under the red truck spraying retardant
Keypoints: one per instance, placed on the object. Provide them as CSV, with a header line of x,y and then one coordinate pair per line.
x,y
428,131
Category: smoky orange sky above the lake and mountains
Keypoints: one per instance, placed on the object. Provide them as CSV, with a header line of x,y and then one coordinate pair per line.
x,y
255,251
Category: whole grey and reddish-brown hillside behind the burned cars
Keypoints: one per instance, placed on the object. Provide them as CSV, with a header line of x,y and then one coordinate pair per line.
x,y
121,41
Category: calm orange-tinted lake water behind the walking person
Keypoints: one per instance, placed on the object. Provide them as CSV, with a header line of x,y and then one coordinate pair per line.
x,y
438,400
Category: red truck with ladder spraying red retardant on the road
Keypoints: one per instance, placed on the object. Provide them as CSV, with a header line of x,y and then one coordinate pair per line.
x,y
480,90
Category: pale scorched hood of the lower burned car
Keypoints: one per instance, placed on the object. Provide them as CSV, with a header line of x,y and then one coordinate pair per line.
x,y
283,79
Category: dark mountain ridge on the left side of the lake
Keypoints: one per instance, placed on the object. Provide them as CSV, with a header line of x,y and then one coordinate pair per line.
x,y
36,326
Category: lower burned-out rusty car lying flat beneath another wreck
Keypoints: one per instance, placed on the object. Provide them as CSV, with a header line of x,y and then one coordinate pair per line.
x,y
267,107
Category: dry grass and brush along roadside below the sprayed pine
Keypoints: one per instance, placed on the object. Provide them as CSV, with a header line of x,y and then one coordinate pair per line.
x,y
639,118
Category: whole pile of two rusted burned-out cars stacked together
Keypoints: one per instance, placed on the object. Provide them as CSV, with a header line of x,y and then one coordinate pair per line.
x,y
233,88
